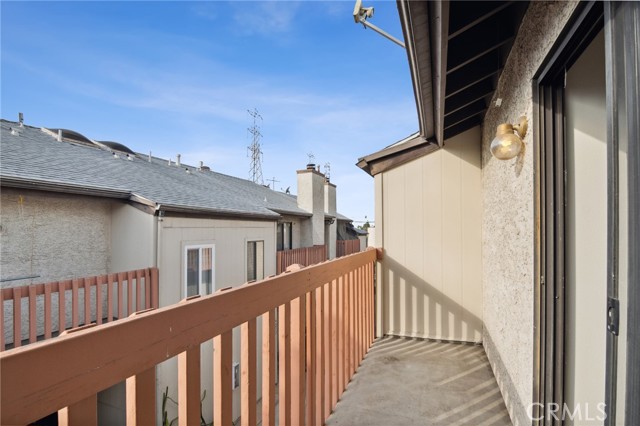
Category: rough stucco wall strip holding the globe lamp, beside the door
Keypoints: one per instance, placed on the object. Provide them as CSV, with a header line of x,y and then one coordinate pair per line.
x,y
508,214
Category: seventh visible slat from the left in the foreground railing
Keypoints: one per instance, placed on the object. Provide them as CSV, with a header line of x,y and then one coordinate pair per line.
x,y
284,370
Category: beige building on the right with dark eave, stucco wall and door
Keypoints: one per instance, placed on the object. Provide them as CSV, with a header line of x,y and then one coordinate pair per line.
x,y
531,256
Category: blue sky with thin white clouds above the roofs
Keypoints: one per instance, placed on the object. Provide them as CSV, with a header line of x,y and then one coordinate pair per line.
x,y
179,77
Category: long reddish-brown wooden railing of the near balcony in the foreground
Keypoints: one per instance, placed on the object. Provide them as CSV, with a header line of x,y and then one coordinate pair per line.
x,y
325,327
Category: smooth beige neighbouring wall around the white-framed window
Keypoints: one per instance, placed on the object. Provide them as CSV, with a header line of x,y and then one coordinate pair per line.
x,y
230,264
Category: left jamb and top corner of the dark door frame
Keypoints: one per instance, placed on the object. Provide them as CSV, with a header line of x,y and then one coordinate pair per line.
x,y
550,204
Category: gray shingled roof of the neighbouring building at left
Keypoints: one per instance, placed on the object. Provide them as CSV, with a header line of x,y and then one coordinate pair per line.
x,y
30,157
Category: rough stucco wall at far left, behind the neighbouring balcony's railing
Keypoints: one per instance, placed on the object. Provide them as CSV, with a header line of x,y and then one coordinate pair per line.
x,y
53,236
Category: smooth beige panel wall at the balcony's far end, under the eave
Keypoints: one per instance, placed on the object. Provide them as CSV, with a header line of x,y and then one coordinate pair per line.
x,y
428,218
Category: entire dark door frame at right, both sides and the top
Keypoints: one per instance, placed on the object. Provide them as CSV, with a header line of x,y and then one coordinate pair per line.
x,y
621,22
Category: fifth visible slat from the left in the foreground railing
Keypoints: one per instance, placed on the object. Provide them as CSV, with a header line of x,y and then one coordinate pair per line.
x,y
249,375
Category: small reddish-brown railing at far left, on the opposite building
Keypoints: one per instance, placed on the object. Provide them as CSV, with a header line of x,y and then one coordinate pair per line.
x,y
40,311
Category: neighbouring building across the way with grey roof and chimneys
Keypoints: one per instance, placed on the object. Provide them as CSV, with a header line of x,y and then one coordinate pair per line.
x,y
74,207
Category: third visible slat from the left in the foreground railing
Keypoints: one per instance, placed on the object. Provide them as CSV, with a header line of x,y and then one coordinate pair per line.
x,y
189,387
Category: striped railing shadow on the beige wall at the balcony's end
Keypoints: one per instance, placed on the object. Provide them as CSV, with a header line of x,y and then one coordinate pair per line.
x,y
413,307
